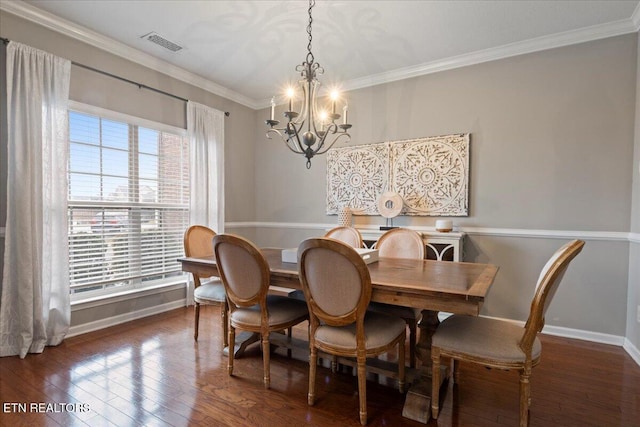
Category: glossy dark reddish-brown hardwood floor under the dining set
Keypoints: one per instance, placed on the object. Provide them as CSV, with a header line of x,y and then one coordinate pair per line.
x,y
150,372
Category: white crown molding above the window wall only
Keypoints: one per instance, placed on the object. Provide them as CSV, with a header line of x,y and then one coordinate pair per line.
x,y
85,35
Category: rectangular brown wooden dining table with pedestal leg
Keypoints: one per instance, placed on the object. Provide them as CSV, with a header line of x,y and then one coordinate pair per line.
x,y
430,285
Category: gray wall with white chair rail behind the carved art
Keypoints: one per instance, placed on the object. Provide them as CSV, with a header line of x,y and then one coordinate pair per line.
x,y
552,138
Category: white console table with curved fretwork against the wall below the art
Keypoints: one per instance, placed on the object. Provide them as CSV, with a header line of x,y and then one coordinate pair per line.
x,y
438,246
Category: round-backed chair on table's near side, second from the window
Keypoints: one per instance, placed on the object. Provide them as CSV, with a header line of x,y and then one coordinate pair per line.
x,y
246,277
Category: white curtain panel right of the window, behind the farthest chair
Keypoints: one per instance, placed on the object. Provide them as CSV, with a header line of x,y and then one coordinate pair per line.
x,y
205,127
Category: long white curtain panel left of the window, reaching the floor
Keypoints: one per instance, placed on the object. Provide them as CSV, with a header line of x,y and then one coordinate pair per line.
x,y
34,301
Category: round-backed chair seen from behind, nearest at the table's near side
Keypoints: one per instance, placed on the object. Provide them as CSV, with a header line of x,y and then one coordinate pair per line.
x,y
337,288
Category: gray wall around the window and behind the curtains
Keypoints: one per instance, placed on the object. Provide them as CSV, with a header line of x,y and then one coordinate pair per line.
x,y
106,92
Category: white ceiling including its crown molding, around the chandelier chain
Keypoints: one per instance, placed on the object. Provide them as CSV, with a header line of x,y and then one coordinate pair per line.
x,y
248,50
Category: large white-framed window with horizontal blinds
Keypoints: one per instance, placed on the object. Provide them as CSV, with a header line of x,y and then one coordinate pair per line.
x,y
128,202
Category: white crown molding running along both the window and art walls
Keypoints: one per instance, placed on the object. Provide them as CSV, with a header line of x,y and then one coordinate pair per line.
x,y
85,35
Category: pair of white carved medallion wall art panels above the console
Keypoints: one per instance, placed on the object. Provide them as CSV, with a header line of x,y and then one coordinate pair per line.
x,y
430,174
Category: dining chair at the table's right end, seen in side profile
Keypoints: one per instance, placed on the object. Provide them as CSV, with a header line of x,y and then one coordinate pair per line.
x,y
498,343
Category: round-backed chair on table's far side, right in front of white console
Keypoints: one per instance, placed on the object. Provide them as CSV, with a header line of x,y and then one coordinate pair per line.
x,y
401,243
